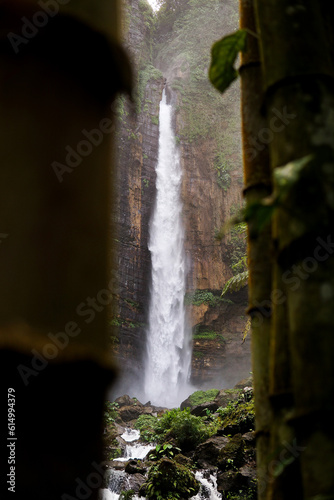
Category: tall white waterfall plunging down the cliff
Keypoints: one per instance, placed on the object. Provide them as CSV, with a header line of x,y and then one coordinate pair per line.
x,y
169,338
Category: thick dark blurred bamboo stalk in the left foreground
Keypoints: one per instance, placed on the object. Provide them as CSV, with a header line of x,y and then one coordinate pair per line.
x,y
61,65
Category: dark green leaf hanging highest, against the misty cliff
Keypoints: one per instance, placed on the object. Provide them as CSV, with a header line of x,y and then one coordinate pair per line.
x,y
223,55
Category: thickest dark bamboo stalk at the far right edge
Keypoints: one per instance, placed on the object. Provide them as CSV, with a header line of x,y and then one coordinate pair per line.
x,y
297,68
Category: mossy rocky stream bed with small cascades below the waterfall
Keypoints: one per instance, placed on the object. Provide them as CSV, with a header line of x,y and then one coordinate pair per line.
x,y
203,450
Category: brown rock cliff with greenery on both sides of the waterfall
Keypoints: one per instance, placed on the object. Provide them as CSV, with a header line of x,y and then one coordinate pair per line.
x,y
175,45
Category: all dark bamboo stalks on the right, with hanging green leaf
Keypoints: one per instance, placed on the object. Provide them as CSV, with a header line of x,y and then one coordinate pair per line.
x,y
288,107
